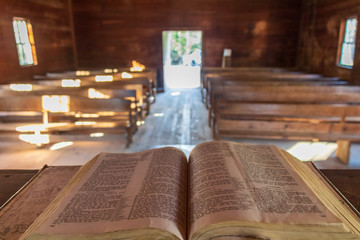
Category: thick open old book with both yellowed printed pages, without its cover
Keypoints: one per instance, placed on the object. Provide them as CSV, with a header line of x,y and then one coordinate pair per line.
x,y
223,191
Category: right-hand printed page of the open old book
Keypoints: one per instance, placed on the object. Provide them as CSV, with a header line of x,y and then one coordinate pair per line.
x,y
252,183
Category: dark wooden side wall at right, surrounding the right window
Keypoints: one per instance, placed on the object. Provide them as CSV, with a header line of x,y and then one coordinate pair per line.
x,y
319,38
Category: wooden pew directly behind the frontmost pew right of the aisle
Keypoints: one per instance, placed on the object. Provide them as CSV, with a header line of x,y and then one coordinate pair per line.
x,y
282,94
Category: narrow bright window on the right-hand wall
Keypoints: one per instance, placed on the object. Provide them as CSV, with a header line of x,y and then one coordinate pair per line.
x,y
346,58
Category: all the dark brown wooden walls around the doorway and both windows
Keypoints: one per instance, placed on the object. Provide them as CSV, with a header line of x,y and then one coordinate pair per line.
x,y
111,33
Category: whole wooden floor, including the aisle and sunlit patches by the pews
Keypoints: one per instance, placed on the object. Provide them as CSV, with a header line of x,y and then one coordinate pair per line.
x,y
177,118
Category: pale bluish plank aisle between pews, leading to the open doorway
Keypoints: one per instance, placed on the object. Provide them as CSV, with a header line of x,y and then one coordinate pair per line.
x,y
178,118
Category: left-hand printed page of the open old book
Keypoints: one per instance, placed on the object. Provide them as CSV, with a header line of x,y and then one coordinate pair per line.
x,y
124,192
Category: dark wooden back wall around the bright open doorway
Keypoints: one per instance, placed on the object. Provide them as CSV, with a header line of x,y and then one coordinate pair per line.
x,y
260,32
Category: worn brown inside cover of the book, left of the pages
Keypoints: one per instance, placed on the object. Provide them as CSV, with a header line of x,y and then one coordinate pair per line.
x,y
31,201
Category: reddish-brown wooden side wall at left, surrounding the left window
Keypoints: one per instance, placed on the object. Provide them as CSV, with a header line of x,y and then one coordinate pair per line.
x,y
52,32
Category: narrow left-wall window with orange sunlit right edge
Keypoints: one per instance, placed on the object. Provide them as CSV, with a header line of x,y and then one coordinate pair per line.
x,y
25,43
